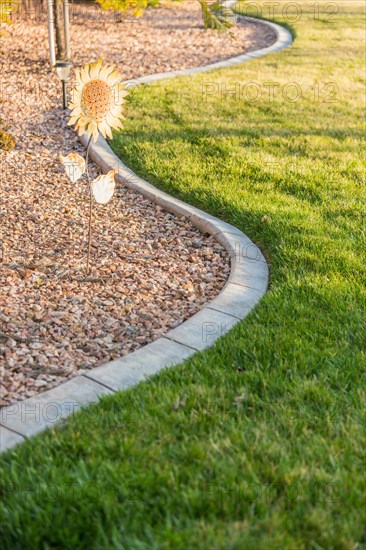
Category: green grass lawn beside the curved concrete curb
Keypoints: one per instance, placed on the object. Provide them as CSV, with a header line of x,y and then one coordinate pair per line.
x,y
266,449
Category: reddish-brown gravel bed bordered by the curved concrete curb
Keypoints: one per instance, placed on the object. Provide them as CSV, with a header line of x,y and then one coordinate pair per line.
x,y
151,271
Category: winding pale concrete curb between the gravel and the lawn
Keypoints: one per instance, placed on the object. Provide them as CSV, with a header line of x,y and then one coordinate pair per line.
x,y
246,285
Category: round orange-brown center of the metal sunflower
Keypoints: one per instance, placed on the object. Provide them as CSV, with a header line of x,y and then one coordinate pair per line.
x,y
96,99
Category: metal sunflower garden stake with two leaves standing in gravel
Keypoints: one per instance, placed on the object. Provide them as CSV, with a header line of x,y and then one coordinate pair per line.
x,y
96,106
